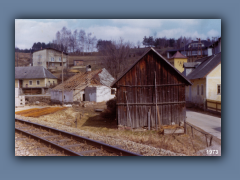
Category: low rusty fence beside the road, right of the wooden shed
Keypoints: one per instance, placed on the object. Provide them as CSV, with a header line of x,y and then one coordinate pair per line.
x,y
197,133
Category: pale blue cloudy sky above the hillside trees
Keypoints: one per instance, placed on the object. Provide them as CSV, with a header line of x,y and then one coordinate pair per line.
x,y
28,31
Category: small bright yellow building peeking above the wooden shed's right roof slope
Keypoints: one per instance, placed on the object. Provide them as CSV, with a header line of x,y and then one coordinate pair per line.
x,y
177,60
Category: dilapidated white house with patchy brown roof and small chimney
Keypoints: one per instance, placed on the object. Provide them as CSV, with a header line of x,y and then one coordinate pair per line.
x,y
88,86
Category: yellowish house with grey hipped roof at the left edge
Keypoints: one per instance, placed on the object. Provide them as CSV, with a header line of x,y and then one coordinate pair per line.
x,y
34,80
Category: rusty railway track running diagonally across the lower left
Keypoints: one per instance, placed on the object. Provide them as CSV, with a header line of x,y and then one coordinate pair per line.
x,y
64,143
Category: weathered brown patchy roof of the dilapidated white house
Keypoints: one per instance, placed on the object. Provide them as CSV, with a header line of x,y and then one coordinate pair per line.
x,y
82,80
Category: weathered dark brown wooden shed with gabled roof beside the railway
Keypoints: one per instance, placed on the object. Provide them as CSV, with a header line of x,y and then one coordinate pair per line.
x,y
151,84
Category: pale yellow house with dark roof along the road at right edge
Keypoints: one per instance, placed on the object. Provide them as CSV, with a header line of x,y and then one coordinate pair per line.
x,y
205,74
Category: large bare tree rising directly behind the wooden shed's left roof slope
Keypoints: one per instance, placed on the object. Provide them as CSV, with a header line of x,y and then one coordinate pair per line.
x,y
116,57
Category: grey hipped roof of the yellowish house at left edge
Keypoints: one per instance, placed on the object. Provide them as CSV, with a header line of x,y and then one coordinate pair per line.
x,y
33,72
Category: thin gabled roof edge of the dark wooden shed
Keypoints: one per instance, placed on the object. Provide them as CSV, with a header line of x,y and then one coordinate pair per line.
x,y
151,49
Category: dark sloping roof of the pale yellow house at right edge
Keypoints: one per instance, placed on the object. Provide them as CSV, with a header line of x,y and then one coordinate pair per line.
x,y
206,66
